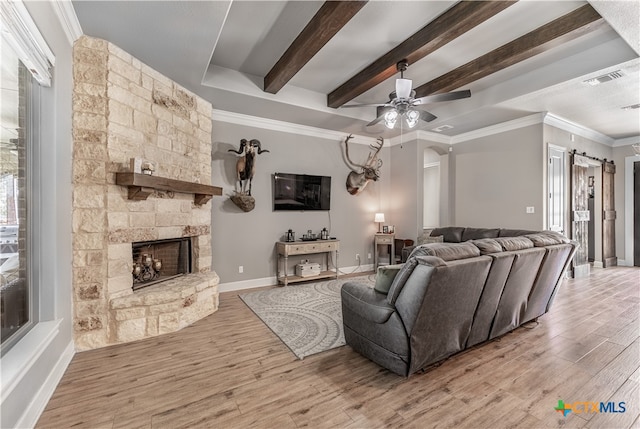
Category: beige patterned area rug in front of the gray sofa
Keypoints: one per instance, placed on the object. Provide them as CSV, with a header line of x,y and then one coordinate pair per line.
x,y
306,317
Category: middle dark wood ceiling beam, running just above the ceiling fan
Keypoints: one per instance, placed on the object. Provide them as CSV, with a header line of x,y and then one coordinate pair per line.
x,y
456,21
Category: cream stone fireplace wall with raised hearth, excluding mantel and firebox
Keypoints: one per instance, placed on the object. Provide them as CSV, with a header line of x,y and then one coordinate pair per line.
x,y
123,109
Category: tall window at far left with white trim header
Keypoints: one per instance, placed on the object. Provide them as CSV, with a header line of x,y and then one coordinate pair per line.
x,y
26,62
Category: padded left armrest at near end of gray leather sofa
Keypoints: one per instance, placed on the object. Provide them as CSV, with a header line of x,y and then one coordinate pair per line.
x,y
364,301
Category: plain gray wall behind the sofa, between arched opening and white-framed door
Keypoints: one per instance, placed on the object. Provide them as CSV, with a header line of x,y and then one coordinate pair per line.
x,y
497,177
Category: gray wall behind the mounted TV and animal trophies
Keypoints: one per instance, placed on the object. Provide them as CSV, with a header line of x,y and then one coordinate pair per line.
x,y
248,239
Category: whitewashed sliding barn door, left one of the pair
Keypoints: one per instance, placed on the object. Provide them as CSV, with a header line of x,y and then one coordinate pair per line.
x,y
580,214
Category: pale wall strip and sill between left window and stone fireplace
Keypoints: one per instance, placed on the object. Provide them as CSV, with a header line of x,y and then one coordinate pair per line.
x,y
33,367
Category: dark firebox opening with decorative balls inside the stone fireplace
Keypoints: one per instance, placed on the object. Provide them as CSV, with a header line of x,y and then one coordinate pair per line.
x,y
160,260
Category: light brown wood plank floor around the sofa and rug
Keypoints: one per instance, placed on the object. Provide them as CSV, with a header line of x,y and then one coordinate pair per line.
x,y
230,371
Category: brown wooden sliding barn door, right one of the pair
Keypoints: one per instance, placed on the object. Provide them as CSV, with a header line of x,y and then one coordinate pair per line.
x,y
609,258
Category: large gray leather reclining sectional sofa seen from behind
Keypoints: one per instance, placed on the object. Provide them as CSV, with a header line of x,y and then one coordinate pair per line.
x,y
477,285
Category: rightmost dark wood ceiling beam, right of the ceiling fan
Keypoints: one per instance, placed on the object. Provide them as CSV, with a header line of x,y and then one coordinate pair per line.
x,y
568,27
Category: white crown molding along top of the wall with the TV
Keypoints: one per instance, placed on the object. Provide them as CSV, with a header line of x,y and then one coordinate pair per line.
x,y
285,127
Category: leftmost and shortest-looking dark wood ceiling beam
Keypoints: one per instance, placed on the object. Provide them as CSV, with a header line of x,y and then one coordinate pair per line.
x,y
330,18
